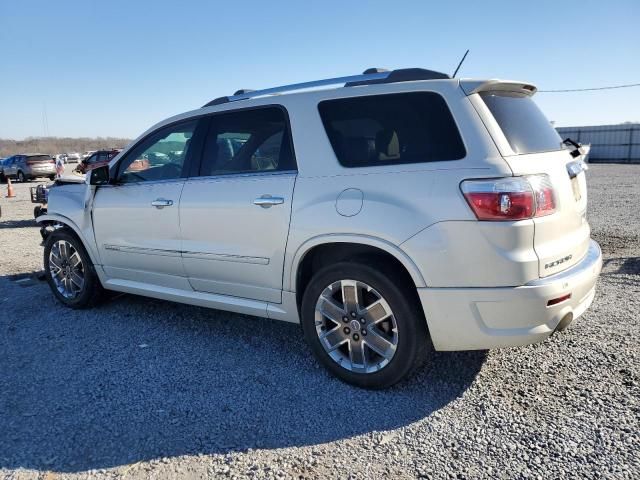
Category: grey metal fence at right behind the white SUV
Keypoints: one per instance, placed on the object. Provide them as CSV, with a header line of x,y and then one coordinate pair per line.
x,y
609,143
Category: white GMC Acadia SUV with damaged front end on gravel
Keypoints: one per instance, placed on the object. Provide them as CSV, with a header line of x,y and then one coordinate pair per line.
x,y
398,213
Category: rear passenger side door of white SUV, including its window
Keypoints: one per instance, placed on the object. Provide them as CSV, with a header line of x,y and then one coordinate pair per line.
x,y
235,215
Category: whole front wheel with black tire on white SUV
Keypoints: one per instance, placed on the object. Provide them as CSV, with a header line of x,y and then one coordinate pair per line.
x,y
69,271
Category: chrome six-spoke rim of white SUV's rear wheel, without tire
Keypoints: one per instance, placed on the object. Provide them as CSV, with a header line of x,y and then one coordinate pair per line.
x,y
356,326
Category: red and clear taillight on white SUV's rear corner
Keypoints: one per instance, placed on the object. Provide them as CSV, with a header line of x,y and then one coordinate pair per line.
x,y
511,198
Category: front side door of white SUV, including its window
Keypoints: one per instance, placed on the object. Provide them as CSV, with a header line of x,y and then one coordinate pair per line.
x,y
136,220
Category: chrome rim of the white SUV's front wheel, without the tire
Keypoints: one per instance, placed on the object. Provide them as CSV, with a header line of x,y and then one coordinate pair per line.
x,y
67,269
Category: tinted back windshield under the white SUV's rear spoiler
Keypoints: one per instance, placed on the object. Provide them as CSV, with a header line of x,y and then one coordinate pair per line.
x,y
522,122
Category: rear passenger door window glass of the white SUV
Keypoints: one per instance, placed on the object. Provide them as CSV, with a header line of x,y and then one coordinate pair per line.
x,y
248,141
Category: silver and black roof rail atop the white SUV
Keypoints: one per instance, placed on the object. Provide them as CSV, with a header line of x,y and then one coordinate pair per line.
x,y
369,77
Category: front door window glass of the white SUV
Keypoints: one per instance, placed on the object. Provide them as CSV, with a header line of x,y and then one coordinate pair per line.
x,y
161,156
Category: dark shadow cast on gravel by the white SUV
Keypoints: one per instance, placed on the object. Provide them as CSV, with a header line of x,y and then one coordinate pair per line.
x,y
138,379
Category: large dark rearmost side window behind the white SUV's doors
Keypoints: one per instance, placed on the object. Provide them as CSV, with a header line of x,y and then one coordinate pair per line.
x,y
391,129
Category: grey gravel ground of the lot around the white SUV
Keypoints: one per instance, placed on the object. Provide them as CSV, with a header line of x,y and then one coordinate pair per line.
x,y
140,388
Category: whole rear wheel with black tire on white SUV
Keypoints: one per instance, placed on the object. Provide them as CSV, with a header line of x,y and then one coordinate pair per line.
x,y
364,324
